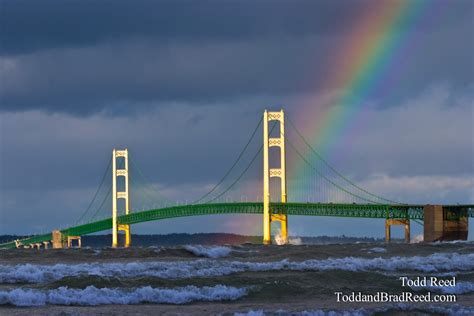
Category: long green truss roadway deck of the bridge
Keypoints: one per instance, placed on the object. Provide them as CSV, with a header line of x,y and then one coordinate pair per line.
x,y
383,211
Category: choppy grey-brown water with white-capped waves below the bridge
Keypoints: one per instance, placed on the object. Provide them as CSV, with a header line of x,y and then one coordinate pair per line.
x,y
241,280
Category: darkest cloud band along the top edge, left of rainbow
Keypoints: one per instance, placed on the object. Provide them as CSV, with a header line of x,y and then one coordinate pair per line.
x,y
29,26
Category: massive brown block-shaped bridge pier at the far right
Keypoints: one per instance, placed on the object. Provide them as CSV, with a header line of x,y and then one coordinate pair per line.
x,y
442,223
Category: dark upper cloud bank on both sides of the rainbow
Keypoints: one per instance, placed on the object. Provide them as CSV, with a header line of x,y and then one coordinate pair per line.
x,y
119,56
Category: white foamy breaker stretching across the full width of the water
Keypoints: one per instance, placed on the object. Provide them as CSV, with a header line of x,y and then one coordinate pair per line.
x,y
29,273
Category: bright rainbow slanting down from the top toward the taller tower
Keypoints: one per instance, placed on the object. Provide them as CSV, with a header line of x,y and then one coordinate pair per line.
x,y
373,52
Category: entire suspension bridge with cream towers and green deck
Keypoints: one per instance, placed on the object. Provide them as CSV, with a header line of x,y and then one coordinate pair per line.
x,y
327,192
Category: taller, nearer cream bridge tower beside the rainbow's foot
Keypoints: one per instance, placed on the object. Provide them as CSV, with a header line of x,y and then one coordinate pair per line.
x,y
268,173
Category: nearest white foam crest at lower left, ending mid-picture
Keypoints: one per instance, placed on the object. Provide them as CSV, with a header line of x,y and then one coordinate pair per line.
x,y
102,296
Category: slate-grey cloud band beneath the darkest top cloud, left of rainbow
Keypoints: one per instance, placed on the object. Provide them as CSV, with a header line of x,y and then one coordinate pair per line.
x,y
94,78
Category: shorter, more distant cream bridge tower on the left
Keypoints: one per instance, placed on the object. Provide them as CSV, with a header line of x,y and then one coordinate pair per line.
x,y
116,195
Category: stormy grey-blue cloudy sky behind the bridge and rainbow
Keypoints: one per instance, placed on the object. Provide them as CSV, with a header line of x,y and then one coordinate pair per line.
x,y
183,84
